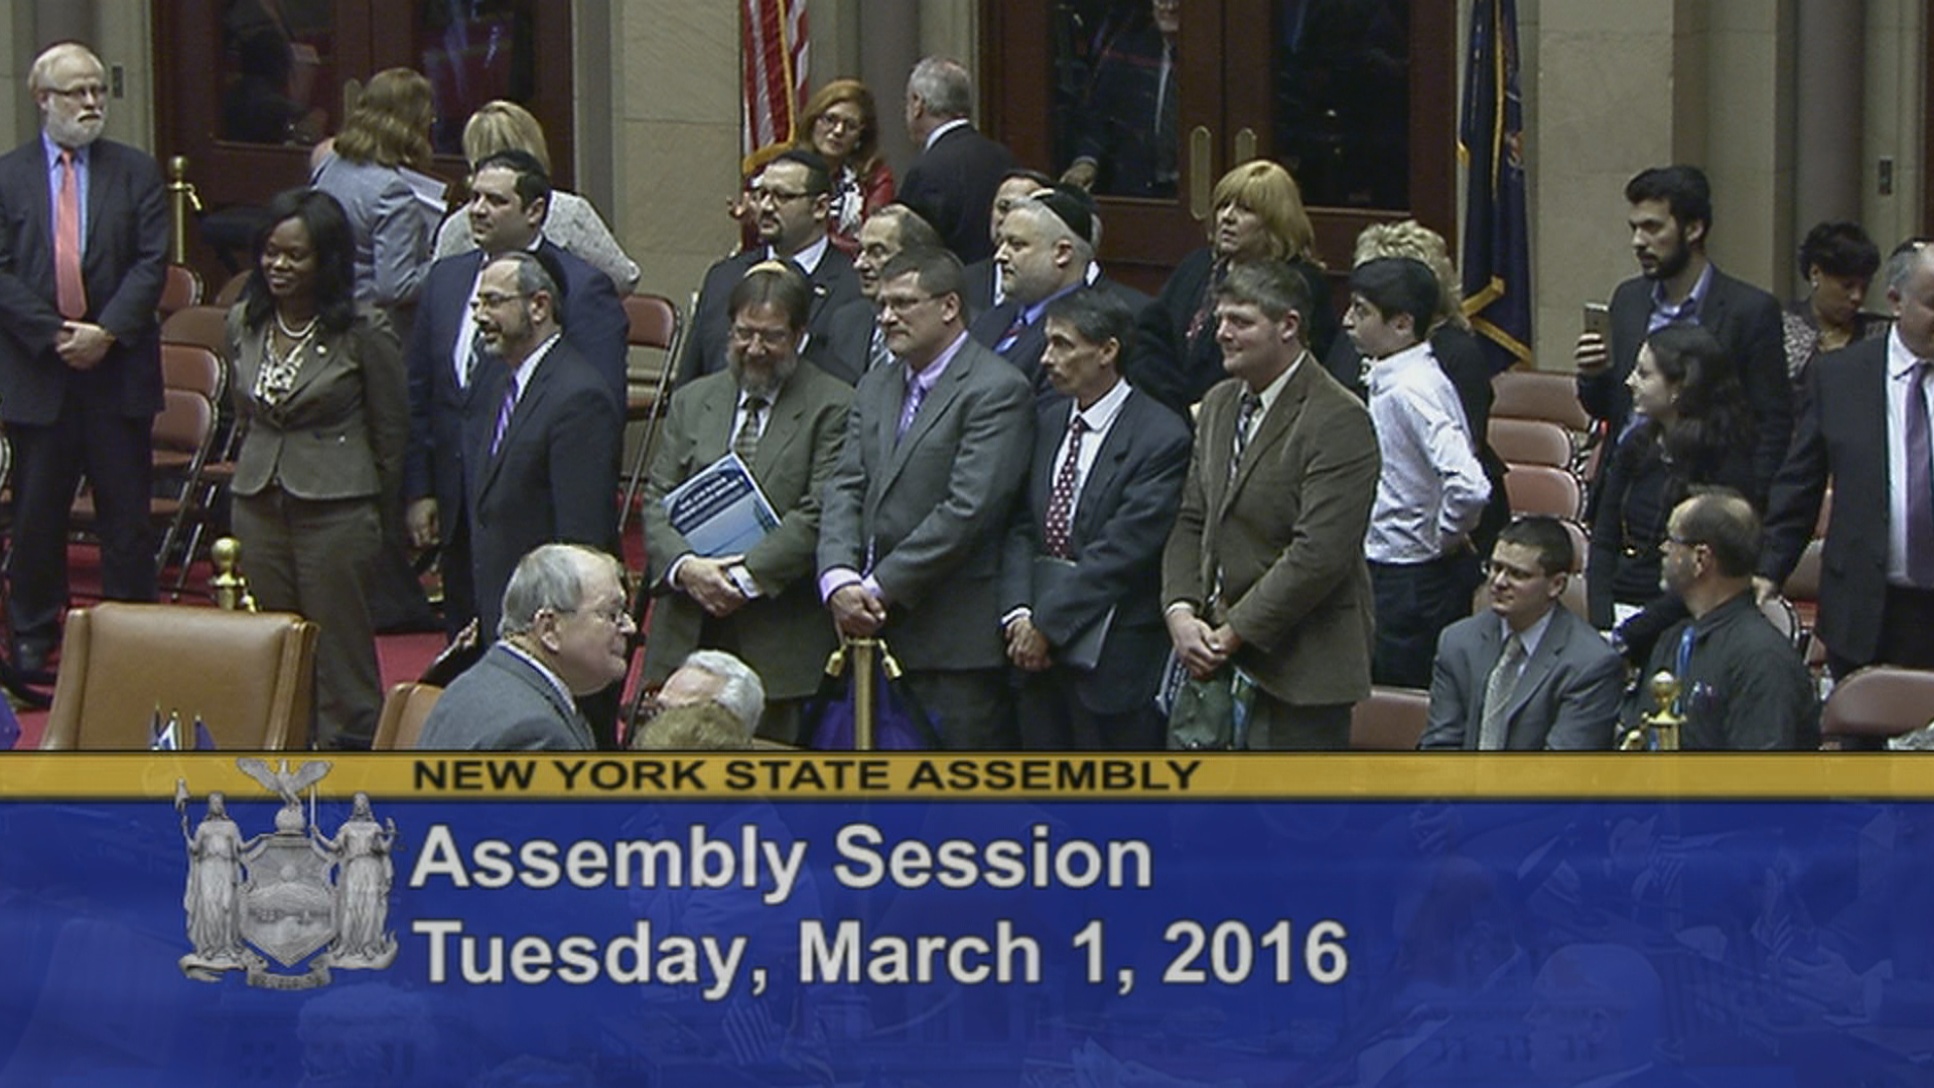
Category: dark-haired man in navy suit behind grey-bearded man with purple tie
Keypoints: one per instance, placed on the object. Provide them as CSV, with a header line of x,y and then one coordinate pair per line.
x,y
452,391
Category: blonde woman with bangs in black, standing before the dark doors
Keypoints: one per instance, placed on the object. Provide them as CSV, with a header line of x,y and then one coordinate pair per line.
x,y
1258,217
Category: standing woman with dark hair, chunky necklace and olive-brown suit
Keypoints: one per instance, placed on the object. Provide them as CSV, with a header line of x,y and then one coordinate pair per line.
x,y
322,389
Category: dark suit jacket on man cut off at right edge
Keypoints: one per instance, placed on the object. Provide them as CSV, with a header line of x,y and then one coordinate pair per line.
x,y
1844,438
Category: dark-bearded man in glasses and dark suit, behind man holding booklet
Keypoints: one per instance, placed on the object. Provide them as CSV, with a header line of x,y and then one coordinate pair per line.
x,y
792,202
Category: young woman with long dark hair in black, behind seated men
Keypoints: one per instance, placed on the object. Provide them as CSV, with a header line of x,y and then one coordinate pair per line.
x,y
1695,432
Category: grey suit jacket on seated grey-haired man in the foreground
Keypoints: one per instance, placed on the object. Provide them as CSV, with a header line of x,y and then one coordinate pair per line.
x,y
504,704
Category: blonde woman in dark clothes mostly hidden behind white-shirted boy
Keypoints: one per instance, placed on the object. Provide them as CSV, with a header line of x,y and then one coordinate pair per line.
x,y
1457,351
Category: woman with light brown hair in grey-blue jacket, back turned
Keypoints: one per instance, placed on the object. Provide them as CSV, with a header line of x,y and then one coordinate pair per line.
x,y
370,169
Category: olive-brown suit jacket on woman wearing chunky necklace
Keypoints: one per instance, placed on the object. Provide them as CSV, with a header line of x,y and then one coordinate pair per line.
x,y
343,428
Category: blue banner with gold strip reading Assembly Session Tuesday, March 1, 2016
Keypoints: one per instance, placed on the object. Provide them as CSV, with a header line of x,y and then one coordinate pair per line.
x,y
1043,923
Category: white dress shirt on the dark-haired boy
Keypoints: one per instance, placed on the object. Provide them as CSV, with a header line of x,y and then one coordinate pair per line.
x,y
1432,488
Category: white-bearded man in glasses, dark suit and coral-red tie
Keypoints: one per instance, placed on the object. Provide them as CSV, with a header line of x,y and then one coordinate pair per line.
x,y
82,258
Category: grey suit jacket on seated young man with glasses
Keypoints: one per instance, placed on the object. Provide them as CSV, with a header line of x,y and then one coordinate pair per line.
x,y
1568,697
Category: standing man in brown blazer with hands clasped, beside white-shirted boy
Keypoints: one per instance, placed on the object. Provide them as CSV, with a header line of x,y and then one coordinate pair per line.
x,y
1266,569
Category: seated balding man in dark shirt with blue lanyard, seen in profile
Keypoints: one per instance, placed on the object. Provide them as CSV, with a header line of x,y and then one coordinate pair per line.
x,y
1742,685
